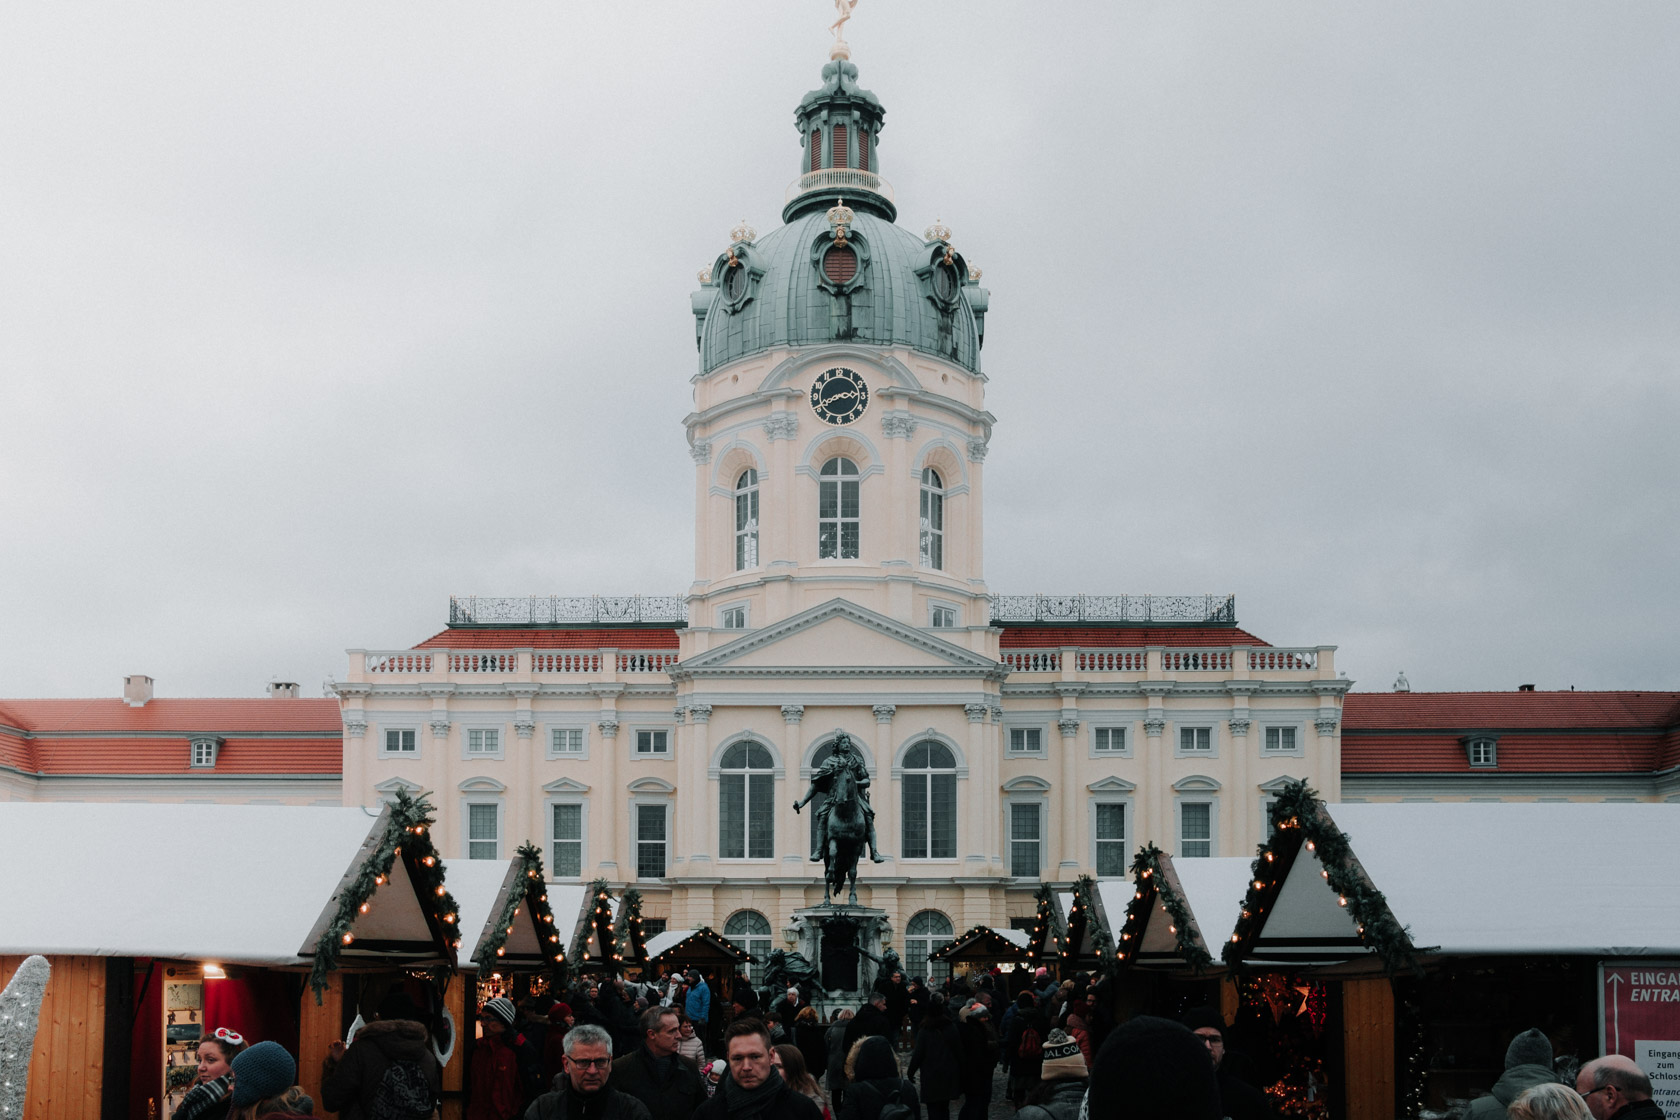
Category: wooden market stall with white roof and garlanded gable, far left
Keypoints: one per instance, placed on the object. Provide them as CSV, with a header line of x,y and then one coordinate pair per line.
x,y
150,951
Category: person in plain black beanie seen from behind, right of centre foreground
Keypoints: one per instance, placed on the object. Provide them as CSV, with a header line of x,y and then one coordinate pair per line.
x,y
1153,1069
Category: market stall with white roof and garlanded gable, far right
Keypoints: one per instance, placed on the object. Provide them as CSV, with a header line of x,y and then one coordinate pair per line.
x,y
1444,929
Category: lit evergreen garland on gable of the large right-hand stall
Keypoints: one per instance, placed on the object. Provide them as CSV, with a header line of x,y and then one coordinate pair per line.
x,y
1301,820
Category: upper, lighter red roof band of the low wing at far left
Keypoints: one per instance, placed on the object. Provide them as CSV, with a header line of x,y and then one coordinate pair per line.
x,y
169,714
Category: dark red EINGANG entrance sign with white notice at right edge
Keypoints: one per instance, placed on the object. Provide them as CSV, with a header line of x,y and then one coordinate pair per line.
x,y
1641,1018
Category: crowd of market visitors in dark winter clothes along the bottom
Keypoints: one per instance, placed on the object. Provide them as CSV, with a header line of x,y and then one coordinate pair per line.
x,y
683,1049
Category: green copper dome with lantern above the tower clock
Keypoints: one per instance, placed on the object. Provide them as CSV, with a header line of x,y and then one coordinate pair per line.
x,y
839,271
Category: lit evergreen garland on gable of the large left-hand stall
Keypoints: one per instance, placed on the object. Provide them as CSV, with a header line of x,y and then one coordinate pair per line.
x,y
409,839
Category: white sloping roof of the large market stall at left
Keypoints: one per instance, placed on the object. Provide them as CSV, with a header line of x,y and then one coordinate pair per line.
x,y
118,881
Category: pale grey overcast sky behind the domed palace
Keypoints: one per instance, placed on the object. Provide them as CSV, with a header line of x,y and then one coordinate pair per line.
x,y
313,315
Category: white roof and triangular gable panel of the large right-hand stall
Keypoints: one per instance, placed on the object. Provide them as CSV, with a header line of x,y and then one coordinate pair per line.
x,y
1484,879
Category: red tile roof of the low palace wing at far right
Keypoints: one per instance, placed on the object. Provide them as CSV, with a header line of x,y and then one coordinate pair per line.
x,y
1538,731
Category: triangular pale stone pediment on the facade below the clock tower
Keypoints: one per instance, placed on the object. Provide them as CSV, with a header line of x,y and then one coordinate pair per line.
x,y
841,639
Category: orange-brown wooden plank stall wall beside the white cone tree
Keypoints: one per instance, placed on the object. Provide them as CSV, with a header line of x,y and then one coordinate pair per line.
x,y
66,1072
